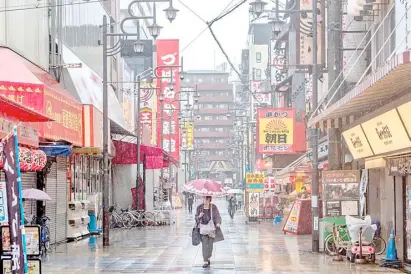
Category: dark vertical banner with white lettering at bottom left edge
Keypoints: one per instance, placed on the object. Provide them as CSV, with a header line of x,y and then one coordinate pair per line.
x,y
12,173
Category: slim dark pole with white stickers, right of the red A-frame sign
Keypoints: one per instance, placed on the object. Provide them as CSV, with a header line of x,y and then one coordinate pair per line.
x,y
314,139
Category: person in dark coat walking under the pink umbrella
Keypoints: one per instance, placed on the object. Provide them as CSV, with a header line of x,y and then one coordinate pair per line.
x,y
209,220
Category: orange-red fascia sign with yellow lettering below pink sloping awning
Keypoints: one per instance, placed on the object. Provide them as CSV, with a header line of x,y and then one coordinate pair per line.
x,y
66,112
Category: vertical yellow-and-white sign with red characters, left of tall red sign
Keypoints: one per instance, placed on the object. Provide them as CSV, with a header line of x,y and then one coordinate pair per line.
x,y
147,92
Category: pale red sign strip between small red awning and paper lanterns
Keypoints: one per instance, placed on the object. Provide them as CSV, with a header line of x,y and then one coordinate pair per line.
x,y
26,134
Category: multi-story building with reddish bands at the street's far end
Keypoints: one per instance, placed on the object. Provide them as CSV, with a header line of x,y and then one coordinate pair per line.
x,y
213,123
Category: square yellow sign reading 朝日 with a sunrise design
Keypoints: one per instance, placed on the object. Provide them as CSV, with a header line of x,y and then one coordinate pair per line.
x,y
275,130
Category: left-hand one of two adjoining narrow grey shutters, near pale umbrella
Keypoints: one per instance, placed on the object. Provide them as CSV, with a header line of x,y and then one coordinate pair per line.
x,y
51,206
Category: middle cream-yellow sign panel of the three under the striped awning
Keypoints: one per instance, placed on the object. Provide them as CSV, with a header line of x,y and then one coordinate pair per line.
x,y
386,133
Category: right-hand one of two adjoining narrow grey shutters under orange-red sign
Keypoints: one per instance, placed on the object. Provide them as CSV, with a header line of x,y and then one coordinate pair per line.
x,y
61,214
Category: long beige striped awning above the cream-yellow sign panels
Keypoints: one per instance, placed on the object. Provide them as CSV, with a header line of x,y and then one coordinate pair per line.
x,y
389,80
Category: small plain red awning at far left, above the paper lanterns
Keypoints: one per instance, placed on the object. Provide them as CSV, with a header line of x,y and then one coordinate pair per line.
x,y
17,111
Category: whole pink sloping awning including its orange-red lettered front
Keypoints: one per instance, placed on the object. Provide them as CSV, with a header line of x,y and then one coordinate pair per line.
x,y
34,88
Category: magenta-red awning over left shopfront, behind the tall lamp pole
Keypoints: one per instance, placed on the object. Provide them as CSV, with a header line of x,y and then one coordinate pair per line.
x,y
126,154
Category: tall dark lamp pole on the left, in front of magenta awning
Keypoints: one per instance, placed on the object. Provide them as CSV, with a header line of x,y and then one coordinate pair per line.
x,y
106,221
